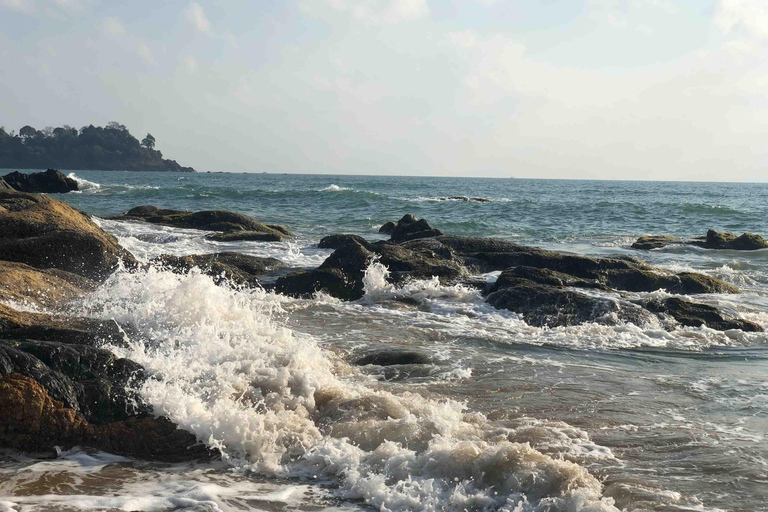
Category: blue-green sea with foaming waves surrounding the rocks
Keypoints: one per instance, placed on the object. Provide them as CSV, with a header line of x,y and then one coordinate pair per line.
x,y
508,417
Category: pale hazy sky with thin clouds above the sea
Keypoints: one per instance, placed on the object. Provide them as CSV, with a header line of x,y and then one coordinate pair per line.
x,y
587,89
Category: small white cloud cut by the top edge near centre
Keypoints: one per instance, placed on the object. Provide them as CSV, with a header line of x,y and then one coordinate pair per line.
x,y
370,11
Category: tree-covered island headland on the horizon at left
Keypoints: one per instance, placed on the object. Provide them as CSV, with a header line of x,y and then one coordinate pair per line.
x,y
93,148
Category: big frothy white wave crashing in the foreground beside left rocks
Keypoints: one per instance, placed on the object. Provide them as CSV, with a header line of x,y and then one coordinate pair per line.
x,y
272,400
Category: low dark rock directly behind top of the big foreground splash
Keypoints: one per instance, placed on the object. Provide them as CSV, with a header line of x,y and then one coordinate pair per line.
x,y
233,267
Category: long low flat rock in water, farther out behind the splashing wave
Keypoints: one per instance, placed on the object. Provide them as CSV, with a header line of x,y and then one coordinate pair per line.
x,y
217,220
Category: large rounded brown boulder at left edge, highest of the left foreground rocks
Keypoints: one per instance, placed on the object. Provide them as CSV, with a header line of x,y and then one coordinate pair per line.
x,y
46,233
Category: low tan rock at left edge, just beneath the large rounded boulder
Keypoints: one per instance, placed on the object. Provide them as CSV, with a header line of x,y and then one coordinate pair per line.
x,y
46,288
